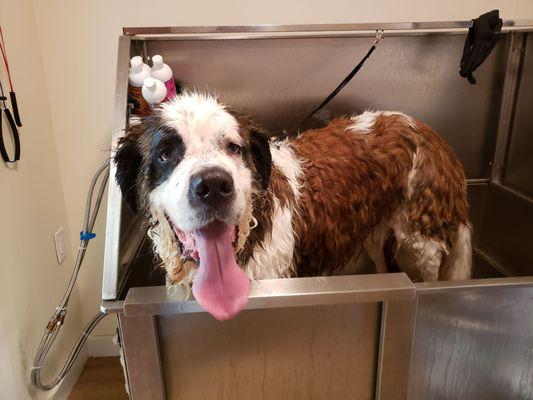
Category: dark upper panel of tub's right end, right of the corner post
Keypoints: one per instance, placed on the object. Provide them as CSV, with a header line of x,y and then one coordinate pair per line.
x,y
519,168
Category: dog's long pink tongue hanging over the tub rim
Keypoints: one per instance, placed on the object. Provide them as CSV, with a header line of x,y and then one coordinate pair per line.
x,y
220,286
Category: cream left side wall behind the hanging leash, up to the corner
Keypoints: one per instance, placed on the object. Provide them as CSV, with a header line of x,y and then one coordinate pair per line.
x,y
32,207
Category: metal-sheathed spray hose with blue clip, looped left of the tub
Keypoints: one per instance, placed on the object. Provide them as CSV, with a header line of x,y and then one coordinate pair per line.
x,y
58,317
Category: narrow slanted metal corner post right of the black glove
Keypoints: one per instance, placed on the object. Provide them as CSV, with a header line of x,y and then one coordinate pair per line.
x,y
510,88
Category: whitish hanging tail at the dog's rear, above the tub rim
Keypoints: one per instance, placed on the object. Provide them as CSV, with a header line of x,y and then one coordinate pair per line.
x,y
458,263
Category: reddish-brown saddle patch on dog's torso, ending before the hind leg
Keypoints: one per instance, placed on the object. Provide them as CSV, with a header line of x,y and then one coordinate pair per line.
x,y
351,182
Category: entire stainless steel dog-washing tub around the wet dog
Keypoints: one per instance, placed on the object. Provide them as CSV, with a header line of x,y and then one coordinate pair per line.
x,y
346,337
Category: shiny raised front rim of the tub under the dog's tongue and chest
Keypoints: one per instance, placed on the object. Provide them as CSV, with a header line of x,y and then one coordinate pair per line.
x,y
281,293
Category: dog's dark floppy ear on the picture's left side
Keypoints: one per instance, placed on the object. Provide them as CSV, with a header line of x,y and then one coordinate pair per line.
x,y
128,161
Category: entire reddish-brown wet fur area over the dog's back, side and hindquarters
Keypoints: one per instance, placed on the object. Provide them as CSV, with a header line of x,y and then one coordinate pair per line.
x,y
353,181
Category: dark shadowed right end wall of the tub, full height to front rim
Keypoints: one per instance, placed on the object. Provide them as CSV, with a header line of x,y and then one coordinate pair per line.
x,y
507,231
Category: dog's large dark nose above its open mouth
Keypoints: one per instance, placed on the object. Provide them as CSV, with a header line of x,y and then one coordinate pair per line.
x,y
212,186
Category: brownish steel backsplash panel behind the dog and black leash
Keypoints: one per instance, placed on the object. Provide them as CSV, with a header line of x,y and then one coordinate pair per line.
x,y
282,80
